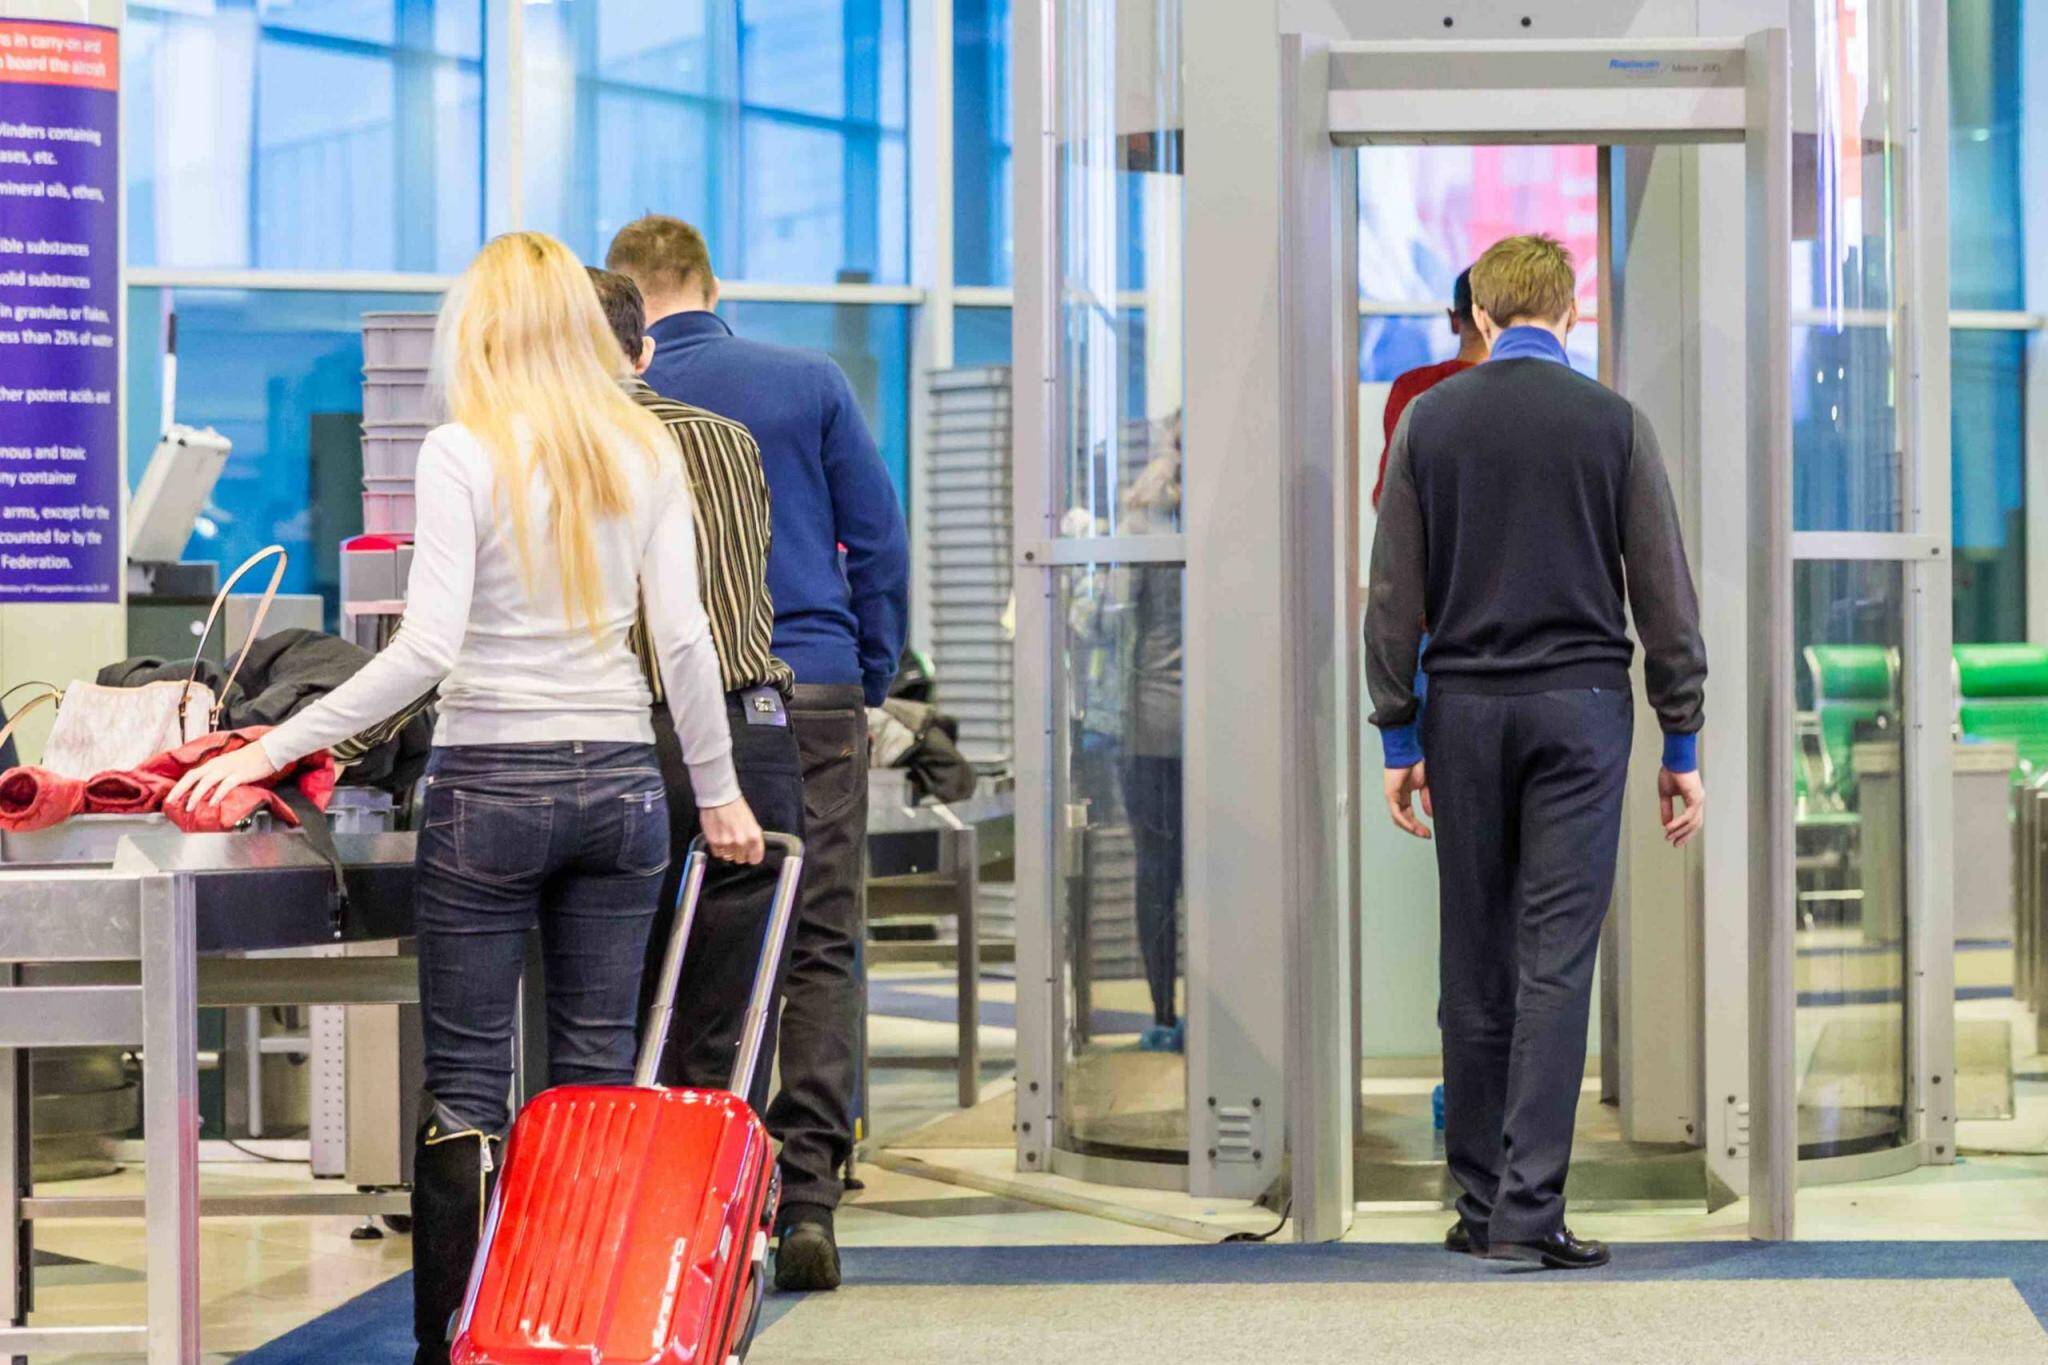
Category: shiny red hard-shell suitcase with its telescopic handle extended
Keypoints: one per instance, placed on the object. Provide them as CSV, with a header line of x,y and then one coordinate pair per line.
x,y
632,1223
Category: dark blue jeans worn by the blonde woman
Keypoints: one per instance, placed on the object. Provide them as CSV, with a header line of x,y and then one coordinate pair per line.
x,y
570,838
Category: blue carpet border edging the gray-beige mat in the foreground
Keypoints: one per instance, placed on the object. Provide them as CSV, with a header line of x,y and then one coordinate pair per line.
x,y
378,1327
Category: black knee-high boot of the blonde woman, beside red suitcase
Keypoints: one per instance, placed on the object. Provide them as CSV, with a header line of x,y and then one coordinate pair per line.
x,y
452,1180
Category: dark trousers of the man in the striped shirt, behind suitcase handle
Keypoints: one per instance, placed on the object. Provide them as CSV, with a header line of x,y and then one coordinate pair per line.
x,y
732,914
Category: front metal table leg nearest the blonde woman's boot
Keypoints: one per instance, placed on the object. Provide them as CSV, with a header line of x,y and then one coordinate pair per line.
x,y
171,1116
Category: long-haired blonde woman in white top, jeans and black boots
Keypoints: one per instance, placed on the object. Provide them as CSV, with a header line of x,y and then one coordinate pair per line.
x,y
548,511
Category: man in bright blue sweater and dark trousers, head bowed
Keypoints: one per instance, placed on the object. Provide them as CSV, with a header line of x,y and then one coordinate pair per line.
x,y
839,572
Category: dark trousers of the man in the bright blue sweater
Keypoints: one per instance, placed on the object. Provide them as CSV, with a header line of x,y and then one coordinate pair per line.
x,y
814,1112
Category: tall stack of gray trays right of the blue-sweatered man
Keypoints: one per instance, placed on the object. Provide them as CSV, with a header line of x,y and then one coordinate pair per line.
x,y
968,517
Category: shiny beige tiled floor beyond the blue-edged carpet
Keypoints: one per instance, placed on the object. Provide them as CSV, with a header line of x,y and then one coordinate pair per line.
x,y
267,1276
